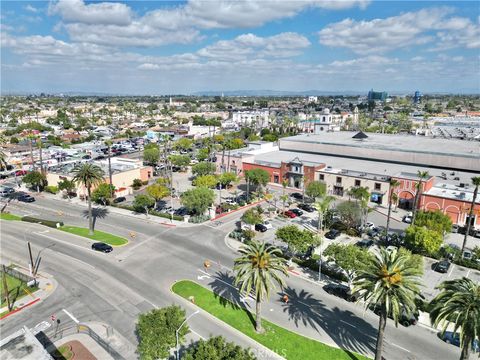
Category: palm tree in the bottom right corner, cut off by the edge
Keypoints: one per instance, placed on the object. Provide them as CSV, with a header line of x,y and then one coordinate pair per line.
x,y
458,302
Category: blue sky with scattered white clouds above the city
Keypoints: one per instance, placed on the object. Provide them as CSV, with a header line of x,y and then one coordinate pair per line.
x,y
171,47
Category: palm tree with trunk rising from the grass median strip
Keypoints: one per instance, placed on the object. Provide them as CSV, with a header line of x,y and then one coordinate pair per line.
x,y
258,269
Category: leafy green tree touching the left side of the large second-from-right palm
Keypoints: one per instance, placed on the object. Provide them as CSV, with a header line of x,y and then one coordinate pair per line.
x,y
349,257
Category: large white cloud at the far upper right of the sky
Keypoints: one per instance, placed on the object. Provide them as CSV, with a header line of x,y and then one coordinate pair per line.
x,y
408,29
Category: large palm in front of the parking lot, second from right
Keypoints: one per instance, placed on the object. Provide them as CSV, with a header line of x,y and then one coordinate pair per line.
x,y
389,283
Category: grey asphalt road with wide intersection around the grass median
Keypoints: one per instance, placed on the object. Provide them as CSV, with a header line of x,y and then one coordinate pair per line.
x,y
116,287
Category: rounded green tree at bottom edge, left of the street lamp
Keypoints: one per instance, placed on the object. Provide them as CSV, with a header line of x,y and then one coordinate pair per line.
x,y
156,331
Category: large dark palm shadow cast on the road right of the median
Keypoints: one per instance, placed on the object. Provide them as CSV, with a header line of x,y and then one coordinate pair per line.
x,y
345,328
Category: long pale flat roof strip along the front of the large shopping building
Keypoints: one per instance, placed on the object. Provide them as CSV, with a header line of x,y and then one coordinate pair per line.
x,y
368,166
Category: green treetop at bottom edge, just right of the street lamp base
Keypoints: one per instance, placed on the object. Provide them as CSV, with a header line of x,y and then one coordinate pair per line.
x,y
217,348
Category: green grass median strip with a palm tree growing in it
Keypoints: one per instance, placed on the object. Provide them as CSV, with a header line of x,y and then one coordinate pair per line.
x,y
281,340
